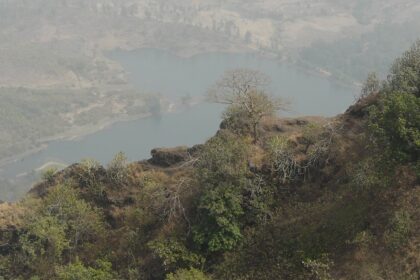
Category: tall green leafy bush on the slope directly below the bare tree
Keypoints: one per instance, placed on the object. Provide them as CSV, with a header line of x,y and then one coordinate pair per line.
x,y
221,174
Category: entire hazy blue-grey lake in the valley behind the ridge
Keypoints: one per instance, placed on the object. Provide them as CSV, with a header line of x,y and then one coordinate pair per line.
x,y
175,77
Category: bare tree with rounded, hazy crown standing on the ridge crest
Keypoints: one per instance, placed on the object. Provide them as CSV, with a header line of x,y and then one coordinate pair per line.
x,y
246,91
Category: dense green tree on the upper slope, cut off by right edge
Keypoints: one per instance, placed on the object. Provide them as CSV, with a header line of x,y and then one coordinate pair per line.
x,y
395,122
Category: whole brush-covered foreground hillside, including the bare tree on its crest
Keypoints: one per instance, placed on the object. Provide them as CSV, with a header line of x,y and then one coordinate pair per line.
x,y
265,198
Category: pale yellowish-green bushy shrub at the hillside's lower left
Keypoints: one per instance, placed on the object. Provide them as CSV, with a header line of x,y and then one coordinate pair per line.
x,y
58,229
